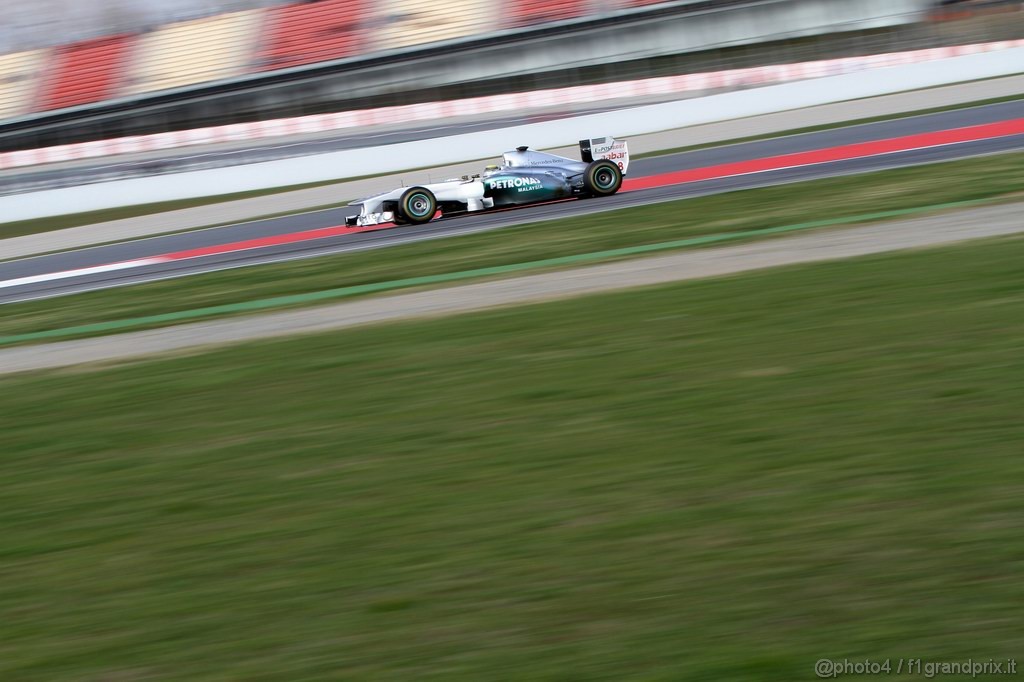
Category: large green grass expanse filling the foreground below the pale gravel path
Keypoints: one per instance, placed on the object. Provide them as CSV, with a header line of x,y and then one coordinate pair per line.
x,y
719,481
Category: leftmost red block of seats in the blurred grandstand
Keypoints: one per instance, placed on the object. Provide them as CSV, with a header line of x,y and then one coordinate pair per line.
x,y
86,72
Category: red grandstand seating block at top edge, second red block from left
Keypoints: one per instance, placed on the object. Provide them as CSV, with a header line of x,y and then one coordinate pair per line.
x,y
312,32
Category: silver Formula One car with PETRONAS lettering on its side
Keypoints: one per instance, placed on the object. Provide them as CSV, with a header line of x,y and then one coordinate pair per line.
x,y
524,178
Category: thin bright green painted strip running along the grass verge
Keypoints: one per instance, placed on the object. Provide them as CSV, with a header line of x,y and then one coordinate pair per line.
x,y
284,302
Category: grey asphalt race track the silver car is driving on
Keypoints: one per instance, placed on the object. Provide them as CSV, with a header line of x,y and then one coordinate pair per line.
x,y
44,268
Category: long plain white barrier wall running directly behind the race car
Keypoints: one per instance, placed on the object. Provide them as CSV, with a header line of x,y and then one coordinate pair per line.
x,y
354,163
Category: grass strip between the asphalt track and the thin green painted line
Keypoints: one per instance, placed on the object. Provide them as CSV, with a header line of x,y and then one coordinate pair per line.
x,y
773,207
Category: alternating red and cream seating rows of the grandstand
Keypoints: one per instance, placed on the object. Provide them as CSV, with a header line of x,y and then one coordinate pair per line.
x,y
186,54
